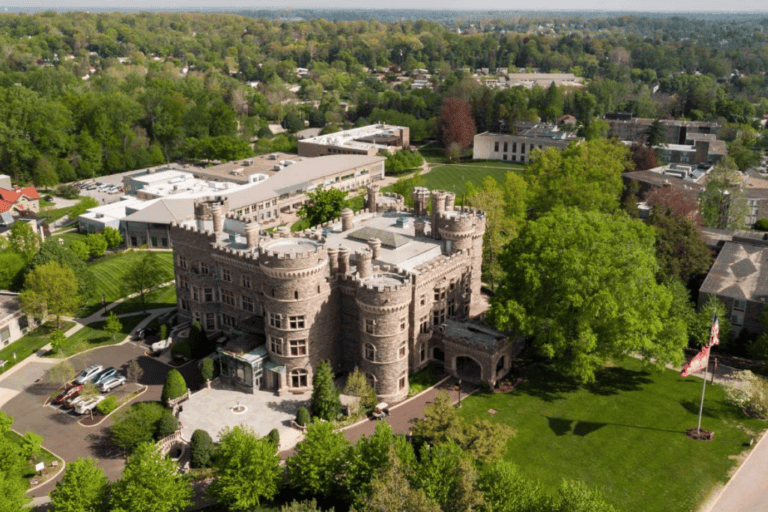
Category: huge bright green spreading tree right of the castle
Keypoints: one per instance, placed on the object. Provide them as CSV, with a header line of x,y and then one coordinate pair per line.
x,y
582,285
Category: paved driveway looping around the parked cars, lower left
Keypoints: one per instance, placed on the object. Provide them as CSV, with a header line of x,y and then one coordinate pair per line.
x,y
63,435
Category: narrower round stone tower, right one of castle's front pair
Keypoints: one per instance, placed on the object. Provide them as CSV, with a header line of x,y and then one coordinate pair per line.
x,y
383,301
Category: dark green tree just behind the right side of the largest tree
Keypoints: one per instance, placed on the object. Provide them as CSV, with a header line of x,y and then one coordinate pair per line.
x,y
680,249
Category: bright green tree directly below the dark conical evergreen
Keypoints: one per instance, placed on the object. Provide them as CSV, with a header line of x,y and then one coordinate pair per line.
x,y
316,468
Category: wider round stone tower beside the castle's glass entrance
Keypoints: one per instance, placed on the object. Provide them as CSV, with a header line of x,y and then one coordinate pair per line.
x,y
297,311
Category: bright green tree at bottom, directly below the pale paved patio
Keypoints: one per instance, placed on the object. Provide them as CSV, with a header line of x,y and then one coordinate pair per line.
x,y
248,469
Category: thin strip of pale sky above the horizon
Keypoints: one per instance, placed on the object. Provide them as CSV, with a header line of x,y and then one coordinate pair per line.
x,y
565,5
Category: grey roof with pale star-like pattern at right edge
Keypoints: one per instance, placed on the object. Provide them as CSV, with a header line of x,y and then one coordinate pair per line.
x,y
740,272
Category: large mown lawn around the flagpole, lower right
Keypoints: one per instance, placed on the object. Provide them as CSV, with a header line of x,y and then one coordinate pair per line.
x,y
623,435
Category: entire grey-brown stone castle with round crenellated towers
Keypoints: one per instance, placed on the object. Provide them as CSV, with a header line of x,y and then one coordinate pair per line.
x,y
367,291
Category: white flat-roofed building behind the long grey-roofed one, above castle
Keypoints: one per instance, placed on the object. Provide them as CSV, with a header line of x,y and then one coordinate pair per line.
x,y
366,140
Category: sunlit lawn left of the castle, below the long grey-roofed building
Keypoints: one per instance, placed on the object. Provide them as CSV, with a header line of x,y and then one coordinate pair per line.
x,y
109,272
